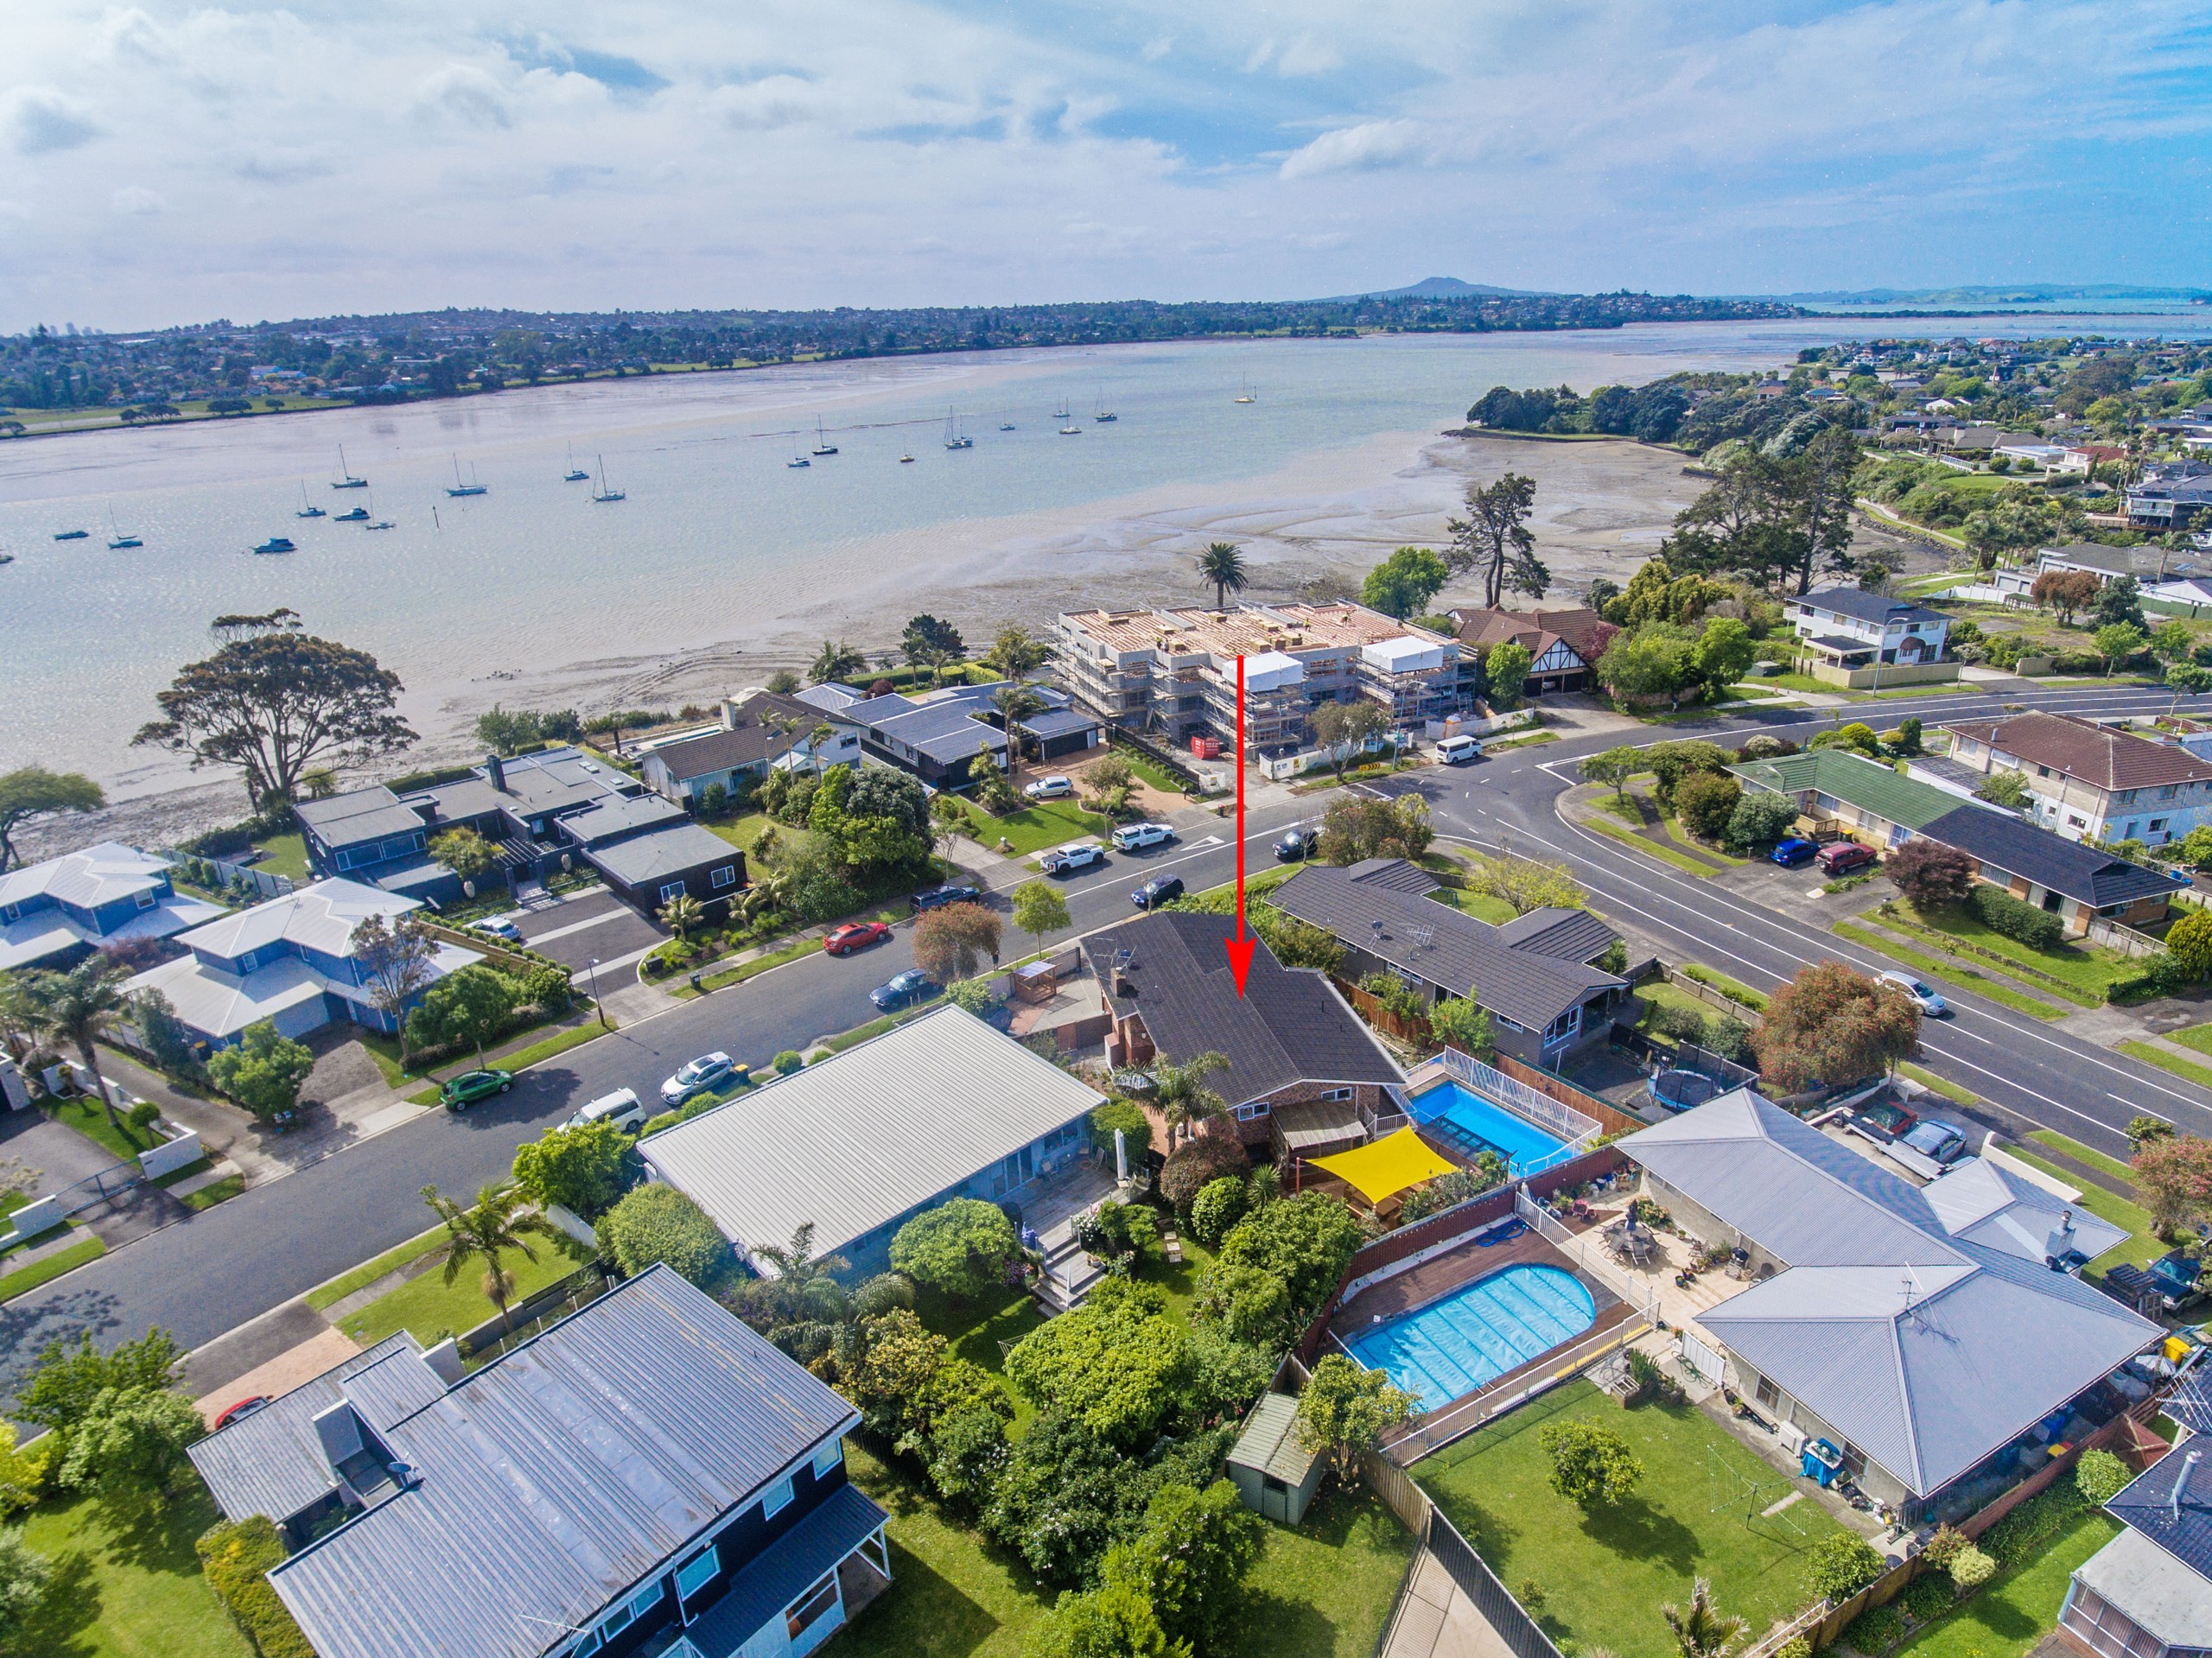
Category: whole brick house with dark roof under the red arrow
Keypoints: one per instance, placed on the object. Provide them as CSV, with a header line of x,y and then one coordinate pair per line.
x,y
1306,1075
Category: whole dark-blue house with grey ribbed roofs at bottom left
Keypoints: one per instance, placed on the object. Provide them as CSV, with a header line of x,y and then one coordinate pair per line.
x,y
643,1478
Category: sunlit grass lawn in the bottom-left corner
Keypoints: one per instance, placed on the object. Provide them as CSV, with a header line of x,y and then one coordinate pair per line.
x,y
125,1588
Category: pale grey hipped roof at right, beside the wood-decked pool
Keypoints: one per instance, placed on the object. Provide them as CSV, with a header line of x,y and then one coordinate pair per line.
x,y
1926,1350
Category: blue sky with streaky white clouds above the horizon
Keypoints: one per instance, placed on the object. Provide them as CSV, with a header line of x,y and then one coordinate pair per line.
x,y
176,162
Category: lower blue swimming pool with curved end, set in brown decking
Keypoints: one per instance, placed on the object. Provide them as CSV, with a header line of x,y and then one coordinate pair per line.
x,y
1477,1334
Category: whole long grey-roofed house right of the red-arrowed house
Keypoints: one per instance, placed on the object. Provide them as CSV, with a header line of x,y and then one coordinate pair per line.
x,y
1536,976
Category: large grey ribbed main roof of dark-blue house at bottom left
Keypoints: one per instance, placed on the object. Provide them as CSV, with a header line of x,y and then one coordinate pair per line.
x,y
561,1476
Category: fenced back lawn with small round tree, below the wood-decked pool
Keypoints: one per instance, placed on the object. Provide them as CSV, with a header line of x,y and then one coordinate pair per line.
x,y
1609,1571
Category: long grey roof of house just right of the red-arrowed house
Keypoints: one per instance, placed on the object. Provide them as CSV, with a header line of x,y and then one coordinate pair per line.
x,y
1434,941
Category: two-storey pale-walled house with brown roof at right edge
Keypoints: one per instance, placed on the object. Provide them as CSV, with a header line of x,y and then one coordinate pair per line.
x,y
2091,781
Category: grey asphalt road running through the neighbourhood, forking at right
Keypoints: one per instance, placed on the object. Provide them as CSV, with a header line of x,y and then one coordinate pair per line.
x,y
269,1246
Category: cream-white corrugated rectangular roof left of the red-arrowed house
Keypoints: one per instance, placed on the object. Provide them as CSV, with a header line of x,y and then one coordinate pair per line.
x,y
868,1135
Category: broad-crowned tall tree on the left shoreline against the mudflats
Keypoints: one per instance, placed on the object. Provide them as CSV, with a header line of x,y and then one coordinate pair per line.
x,y
278,704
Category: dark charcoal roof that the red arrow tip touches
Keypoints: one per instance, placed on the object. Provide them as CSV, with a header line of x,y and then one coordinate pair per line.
x,y
1288,1027
